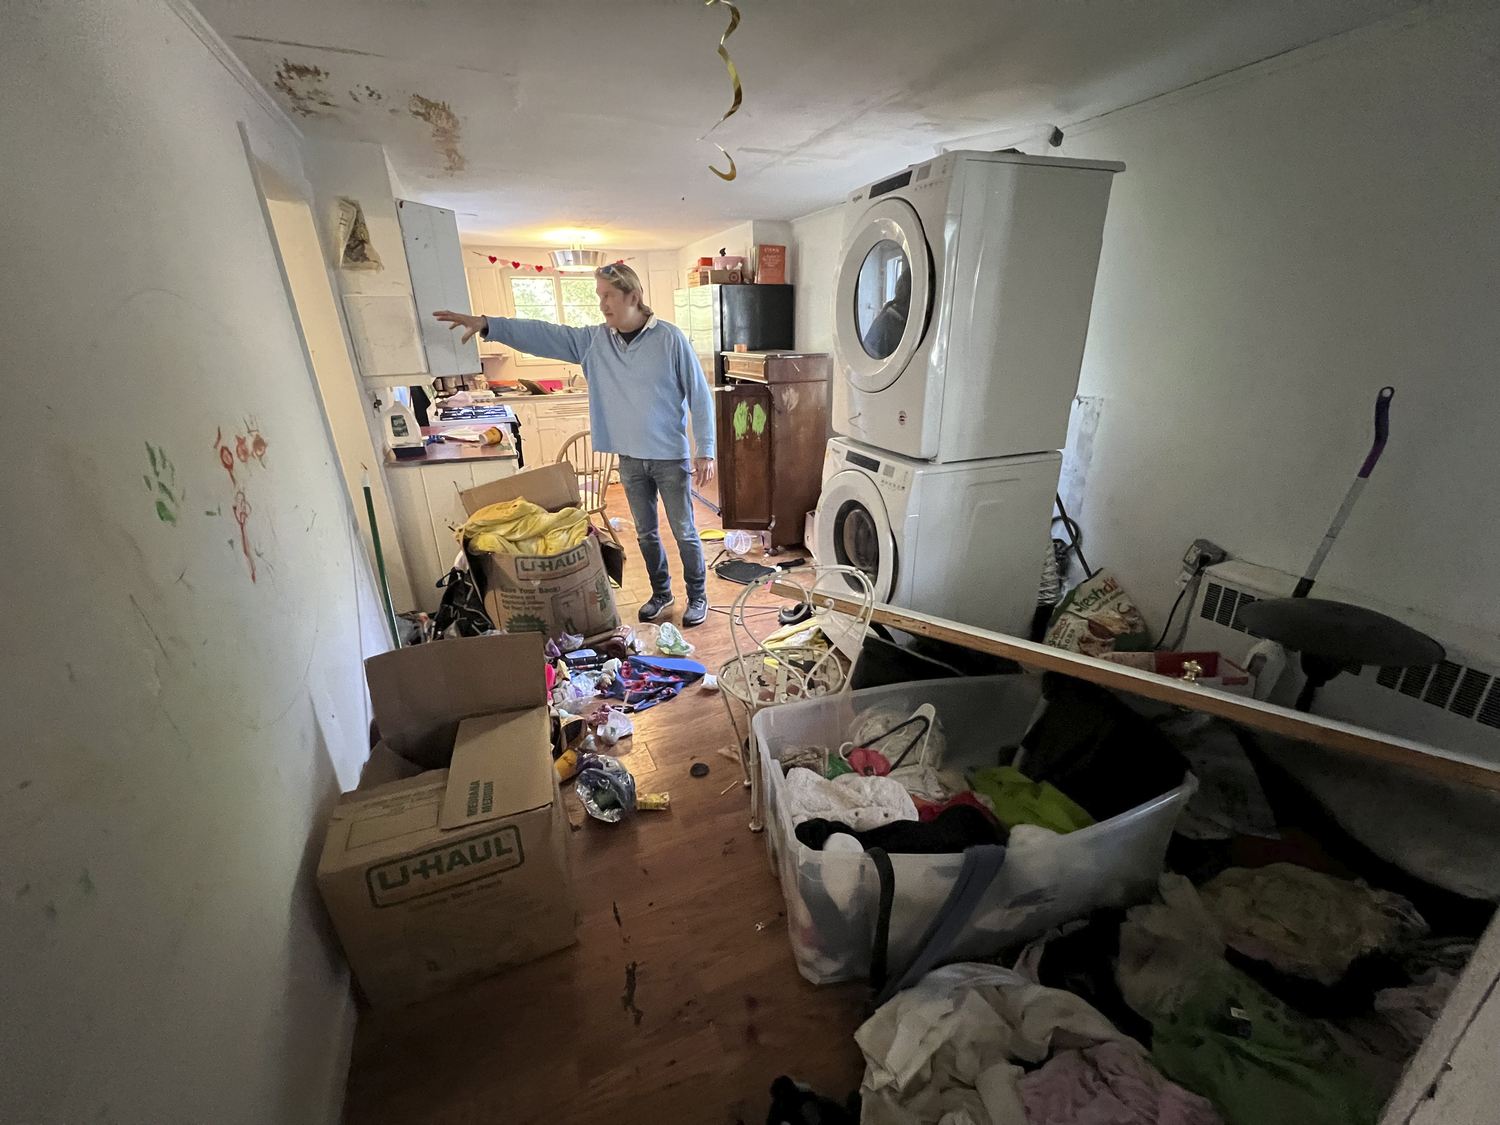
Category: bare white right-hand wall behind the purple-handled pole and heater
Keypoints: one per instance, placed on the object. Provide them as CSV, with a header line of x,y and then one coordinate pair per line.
x,y
1285,242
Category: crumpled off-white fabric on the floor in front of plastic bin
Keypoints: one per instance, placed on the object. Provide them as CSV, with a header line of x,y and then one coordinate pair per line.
x,y
941,1054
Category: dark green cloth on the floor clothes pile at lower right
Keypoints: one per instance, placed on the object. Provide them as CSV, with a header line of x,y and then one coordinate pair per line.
x,y
1259,1061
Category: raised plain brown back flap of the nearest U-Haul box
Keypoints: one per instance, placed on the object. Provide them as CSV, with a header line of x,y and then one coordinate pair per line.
x,y
421,694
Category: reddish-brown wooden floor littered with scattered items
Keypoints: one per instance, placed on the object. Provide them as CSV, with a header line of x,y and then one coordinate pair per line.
x,y
680,1001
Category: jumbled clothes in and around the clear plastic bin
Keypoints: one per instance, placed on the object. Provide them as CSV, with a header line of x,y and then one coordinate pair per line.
x,y
1265,982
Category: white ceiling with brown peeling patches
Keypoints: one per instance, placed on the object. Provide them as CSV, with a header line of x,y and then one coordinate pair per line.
x,y
526,118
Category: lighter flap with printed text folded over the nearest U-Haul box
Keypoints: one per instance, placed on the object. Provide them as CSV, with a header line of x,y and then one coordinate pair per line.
x,y
502,767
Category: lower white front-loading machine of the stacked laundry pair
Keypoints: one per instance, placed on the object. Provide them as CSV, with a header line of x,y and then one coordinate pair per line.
x,y
961,541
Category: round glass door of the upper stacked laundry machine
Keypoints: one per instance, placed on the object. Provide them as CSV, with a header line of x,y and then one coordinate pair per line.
x,y
883,295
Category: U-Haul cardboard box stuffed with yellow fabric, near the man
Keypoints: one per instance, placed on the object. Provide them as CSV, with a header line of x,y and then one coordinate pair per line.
x,y
553,595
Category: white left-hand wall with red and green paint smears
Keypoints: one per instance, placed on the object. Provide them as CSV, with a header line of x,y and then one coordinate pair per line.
x,y
173,730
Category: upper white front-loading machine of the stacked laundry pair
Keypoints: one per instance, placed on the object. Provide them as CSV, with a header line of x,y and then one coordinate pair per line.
x,y
962,304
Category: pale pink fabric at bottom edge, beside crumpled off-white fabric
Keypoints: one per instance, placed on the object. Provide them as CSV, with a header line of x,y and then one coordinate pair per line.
x,y
1109,1085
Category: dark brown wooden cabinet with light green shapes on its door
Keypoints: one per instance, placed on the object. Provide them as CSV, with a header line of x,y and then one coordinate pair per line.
x,y
772,437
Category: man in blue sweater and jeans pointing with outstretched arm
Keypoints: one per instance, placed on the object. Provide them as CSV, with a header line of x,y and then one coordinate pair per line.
x,y
643,382
